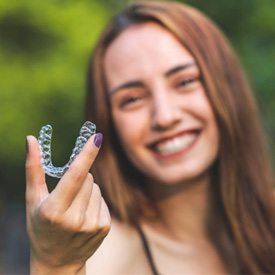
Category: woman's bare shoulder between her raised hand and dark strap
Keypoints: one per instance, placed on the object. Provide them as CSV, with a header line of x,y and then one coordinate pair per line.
x,y
120,252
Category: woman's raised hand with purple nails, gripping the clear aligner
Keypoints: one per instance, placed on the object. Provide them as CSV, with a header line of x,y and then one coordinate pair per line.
x,y
65,226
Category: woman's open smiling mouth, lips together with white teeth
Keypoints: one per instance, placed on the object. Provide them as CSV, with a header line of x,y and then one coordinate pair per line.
x,y
175,145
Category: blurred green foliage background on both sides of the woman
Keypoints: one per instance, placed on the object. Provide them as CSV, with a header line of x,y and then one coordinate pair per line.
x,y
44,51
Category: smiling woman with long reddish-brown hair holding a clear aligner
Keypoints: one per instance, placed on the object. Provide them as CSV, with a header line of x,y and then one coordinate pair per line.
x,y
183,168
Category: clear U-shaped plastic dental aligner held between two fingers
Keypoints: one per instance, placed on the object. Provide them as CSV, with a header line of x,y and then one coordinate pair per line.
x,y
45,136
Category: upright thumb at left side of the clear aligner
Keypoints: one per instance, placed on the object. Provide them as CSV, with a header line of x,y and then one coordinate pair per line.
x,y
36,188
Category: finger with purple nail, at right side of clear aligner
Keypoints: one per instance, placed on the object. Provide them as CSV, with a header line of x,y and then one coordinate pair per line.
x,y
71,182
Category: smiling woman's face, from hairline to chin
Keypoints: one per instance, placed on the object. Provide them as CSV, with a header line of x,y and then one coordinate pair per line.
x,y
161,112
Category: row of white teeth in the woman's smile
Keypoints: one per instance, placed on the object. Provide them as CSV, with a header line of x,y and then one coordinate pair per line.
x,y
175,144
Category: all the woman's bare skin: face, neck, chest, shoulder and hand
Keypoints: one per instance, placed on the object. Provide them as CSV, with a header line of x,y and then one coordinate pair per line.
x,y
164,104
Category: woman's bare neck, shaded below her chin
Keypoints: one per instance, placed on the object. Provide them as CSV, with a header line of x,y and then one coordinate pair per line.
x,y
183,208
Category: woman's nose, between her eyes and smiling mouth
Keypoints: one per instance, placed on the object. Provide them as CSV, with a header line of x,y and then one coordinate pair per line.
x,y
165,112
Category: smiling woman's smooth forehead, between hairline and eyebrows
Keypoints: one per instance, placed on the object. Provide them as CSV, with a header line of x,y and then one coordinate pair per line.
x,y
145,47
